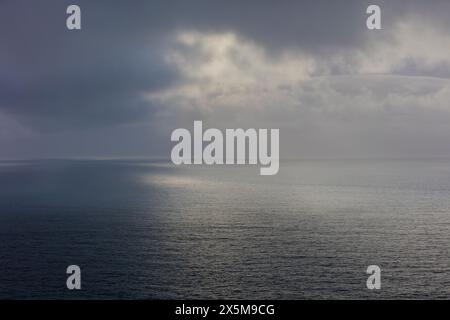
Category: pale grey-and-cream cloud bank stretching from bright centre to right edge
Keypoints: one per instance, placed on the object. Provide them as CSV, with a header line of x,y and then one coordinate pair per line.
x,y
365,107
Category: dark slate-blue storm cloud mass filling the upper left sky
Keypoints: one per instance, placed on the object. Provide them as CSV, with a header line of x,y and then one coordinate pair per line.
x,y
52,78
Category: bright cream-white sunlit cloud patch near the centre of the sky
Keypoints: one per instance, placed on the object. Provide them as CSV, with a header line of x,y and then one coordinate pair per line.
x,y
224,71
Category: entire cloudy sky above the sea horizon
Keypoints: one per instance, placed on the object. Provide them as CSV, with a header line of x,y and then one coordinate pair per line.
x,y
140,69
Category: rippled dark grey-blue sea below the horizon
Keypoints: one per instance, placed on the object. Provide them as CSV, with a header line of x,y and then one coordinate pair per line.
x,y
150,230
